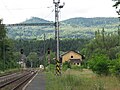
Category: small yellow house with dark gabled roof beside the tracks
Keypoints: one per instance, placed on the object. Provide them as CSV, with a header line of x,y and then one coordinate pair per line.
x,y
73,57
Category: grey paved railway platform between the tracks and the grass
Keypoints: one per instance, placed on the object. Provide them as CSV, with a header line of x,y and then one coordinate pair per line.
x,y
36,83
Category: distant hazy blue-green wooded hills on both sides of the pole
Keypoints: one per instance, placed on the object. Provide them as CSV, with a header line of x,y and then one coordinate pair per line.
x,y
71,28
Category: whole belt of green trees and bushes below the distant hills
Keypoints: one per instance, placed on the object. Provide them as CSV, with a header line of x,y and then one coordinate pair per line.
x,y
103,47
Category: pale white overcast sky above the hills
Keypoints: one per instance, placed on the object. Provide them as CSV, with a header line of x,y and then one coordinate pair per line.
x,y
16,11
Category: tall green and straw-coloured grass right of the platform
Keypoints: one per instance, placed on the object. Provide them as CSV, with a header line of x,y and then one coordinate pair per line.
x,y
81,80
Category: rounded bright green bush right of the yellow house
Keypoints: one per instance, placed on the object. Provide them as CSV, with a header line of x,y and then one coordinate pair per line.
x,y
99,64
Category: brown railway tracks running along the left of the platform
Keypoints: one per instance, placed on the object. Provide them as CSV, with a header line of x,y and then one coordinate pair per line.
x,y
16,81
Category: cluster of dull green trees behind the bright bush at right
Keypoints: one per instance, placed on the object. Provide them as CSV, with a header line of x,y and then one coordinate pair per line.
x,y
103,43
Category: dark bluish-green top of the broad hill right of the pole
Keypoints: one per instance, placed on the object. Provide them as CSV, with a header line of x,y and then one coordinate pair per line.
x,y
91,22
